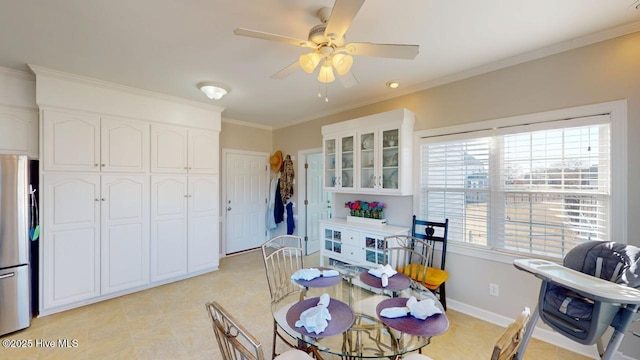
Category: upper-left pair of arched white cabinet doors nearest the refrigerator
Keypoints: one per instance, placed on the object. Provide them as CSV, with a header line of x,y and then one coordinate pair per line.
x,y
81,142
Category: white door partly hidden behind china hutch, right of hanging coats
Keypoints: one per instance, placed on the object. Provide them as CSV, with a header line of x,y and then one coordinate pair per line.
x,y
318,201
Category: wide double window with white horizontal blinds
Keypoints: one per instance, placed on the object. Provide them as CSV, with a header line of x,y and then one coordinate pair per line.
x,y
539,188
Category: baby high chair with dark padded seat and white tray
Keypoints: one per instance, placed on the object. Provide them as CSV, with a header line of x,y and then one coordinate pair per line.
x,y
597,286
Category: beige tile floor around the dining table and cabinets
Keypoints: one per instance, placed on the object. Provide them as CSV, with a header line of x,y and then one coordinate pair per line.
x,y
170,322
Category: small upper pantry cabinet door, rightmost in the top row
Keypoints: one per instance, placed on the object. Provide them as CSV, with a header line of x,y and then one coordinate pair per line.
x,y
203,152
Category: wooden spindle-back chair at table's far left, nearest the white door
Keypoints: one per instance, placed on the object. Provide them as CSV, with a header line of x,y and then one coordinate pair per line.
x,y
283,255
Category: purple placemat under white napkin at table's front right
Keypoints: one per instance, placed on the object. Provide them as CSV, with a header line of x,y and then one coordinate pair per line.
x,y
431,326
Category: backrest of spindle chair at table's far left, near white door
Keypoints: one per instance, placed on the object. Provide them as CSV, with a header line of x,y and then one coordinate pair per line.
x,y
283,255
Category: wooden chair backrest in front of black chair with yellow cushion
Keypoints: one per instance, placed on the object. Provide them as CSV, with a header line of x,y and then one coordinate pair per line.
x,y
408,255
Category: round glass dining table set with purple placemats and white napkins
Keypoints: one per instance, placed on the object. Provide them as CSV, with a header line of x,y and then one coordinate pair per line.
x,y
355,329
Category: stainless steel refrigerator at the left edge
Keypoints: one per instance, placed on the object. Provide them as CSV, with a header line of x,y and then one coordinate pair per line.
x,y
15,300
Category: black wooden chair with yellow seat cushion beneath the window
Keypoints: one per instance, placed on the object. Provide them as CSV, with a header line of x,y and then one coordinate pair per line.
x,y
432,233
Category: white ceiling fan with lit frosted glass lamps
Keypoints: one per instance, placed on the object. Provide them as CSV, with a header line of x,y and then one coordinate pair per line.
x,y
328,45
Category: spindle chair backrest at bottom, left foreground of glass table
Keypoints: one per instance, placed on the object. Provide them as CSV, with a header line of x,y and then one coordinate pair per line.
x,y
235,342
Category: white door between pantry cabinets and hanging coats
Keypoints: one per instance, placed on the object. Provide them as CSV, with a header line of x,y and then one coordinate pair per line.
x,y
245,200
